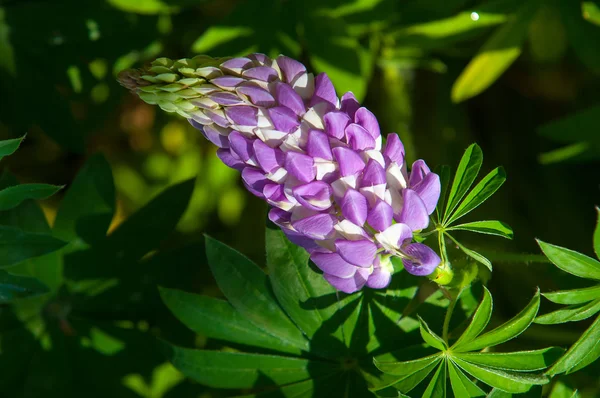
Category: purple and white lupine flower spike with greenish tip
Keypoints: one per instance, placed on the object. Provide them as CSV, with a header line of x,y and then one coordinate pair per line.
x,y
317,159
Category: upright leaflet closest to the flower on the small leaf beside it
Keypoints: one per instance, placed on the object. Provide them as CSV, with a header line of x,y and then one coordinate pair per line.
x,y
467,171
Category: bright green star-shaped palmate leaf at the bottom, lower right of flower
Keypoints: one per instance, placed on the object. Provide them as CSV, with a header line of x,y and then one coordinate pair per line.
x,y
510,372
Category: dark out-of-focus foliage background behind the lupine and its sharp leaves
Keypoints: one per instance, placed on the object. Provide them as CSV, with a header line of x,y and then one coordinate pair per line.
x,y
519,78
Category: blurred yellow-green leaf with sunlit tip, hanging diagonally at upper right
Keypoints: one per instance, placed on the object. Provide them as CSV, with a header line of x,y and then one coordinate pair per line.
x,y
496,55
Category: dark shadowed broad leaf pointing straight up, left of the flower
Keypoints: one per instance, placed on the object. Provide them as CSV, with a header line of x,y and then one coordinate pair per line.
x,y
92,192
